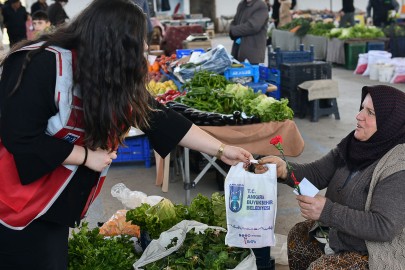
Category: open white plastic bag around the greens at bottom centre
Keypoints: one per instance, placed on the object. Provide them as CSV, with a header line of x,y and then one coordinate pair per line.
x,y
157,248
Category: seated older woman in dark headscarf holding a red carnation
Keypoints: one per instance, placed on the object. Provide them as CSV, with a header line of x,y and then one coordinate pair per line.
x,y
363,211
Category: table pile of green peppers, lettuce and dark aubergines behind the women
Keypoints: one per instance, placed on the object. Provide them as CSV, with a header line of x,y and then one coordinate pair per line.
x,y
232,104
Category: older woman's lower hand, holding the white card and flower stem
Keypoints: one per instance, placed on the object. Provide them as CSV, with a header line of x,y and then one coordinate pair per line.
x,y
311,208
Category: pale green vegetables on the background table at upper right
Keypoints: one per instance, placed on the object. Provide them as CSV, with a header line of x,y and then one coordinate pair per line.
x,y
356,31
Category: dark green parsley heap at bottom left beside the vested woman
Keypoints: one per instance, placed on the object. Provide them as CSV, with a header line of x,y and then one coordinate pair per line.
x,y
90,250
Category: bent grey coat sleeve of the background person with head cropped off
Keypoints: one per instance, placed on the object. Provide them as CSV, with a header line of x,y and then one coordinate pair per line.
x,y
252,25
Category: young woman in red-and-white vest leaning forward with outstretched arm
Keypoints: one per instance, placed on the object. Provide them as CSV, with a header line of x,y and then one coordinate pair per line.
x,y
67,100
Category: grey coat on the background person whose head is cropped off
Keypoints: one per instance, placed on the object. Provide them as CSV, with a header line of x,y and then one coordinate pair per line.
x,y
250,24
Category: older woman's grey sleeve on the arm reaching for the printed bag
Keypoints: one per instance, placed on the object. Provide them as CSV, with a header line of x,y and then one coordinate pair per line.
x,y
319,172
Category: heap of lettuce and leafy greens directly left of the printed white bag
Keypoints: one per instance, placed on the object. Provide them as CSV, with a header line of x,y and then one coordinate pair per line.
x,y
164,215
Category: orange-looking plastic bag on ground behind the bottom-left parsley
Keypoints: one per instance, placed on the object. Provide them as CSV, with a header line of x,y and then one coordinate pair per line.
x,y
117,225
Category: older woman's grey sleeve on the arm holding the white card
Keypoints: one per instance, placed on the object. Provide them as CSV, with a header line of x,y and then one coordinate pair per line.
x,y
385,220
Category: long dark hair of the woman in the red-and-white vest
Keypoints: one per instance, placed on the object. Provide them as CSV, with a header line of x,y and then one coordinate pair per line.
x,y
111,70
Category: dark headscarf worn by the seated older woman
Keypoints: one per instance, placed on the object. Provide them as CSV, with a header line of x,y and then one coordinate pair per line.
x,y
389,107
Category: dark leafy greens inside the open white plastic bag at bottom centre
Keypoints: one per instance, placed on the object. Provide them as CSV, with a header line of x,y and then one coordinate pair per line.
x,y
201,251
